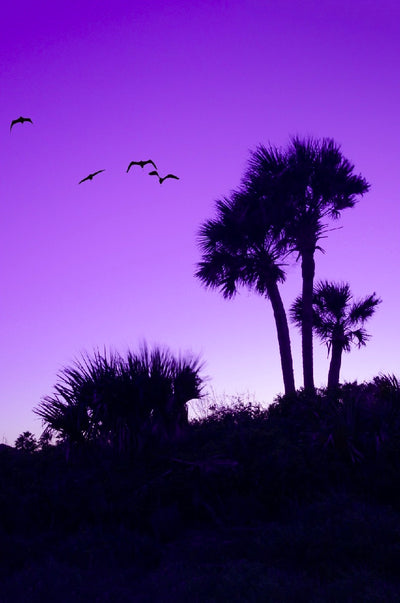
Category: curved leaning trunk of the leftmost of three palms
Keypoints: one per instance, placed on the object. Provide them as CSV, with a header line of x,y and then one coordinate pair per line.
x,y
282,329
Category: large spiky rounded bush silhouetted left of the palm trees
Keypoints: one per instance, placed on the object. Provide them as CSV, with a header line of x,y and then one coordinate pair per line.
x,y
123,403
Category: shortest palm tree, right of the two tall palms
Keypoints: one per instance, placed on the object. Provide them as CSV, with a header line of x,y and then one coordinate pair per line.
x,y
337,321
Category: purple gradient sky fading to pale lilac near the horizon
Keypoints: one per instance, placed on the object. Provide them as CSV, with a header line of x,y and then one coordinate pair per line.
x,y
194,86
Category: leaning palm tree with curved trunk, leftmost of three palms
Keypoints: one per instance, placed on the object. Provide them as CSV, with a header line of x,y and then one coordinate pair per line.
x,y
238,250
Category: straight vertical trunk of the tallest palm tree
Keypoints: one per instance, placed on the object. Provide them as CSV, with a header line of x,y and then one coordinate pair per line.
x,y
308,271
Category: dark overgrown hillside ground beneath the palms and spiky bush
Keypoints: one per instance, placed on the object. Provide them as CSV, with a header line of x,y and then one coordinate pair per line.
x,y
296,502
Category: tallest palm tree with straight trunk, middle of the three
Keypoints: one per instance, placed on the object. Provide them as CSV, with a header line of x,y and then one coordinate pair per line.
x,y
308,183
